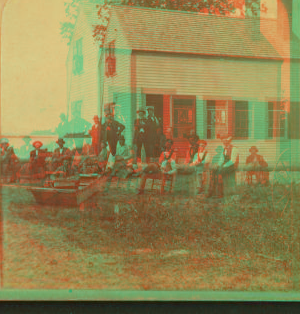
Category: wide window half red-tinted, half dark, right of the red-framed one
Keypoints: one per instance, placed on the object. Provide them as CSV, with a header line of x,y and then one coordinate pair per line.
x,y
227,117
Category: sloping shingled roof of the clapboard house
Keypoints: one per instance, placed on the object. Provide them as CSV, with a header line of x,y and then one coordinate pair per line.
x,y
192,33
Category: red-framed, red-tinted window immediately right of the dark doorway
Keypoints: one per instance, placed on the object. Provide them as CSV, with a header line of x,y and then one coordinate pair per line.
x,y
184,117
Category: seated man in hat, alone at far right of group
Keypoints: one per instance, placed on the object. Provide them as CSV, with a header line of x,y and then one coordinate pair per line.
x,y
256,165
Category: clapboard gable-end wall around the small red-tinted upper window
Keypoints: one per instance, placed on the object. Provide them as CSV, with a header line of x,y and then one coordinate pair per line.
x,y
118,88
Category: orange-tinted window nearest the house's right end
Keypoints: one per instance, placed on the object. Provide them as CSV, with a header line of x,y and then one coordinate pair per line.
x,y
276,120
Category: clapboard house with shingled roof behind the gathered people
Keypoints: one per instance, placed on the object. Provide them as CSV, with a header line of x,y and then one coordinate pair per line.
x,y
212,74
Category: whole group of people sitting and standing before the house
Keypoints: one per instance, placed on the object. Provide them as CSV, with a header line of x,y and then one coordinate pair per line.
x,y
110,156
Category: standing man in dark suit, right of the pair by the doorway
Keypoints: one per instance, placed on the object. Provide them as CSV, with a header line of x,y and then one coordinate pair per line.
x,y
152,125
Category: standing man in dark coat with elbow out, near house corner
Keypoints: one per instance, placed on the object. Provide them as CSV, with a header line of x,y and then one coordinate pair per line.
x,y
111,131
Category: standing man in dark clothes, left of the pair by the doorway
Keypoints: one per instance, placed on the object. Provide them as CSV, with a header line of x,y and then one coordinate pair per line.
x,y
139,134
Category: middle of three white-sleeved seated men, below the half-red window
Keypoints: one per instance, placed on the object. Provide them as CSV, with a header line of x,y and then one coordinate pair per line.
x,y
200,162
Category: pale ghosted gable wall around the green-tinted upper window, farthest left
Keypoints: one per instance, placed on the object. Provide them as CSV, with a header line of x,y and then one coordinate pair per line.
x,y
84,86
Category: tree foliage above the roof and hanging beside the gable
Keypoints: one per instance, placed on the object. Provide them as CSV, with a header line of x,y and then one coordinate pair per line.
x,y
242,8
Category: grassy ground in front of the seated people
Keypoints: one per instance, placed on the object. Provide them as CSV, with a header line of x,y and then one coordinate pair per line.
x,y
247,242
